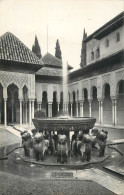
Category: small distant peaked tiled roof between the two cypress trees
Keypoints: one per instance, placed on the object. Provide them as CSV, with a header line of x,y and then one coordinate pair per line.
x,y
49,59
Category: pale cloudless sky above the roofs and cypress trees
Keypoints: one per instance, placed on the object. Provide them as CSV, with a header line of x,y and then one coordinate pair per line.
x,y
66,20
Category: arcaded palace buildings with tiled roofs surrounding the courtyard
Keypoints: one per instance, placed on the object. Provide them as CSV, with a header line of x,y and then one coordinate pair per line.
x,y
96,89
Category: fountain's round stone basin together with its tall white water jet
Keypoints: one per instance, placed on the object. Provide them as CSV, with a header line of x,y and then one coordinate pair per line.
x,y
65,122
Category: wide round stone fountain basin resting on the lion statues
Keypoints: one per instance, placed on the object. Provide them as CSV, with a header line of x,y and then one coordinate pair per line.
x,y
64,123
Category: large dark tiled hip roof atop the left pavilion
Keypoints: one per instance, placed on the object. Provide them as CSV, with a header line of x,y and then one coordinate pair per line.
x,y
11,48
